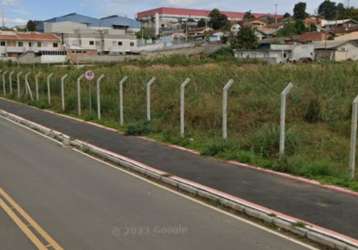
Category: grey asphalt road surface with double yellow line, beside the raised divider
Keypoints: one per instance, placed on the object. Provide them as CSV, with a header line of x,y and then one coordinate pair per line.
x,y
85,204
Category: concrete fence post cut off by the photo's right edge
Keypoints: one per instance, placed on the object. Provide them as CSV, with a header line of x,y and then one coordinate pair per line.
x,y
352,155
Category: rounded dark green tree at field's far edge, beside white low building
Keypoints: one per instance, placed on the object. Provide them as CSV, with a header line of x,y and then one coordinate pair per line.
x,y
245,39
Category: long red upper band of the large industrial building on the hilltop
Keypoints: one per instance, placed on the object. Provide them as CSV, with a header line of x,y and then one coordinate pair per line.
x,y
194,12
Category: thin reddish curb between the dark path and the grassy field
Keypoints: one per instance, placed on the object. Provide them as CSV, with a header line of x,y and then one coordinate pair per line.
x,y
233,163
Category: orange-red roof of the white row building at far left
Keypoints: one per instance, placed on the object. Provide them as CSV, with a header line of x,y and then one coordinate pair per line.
x,y
35,37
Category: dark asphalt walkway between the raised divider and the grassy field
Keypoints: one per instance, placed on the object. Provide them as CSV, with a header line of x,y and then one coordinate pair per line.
x,y
329,209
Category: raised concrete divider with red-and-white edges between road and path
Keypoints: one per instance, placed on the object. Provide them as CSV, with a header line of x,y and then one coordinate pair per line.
x,y
296,226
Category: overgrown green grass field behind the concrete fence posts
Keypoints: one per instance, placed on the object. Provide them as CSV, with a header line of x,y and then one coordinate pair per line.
x,y
318,118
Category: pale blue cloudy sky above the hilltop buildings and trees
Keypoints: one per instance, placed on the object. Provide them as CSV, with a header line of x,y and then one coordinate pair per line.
x,y
19,11
